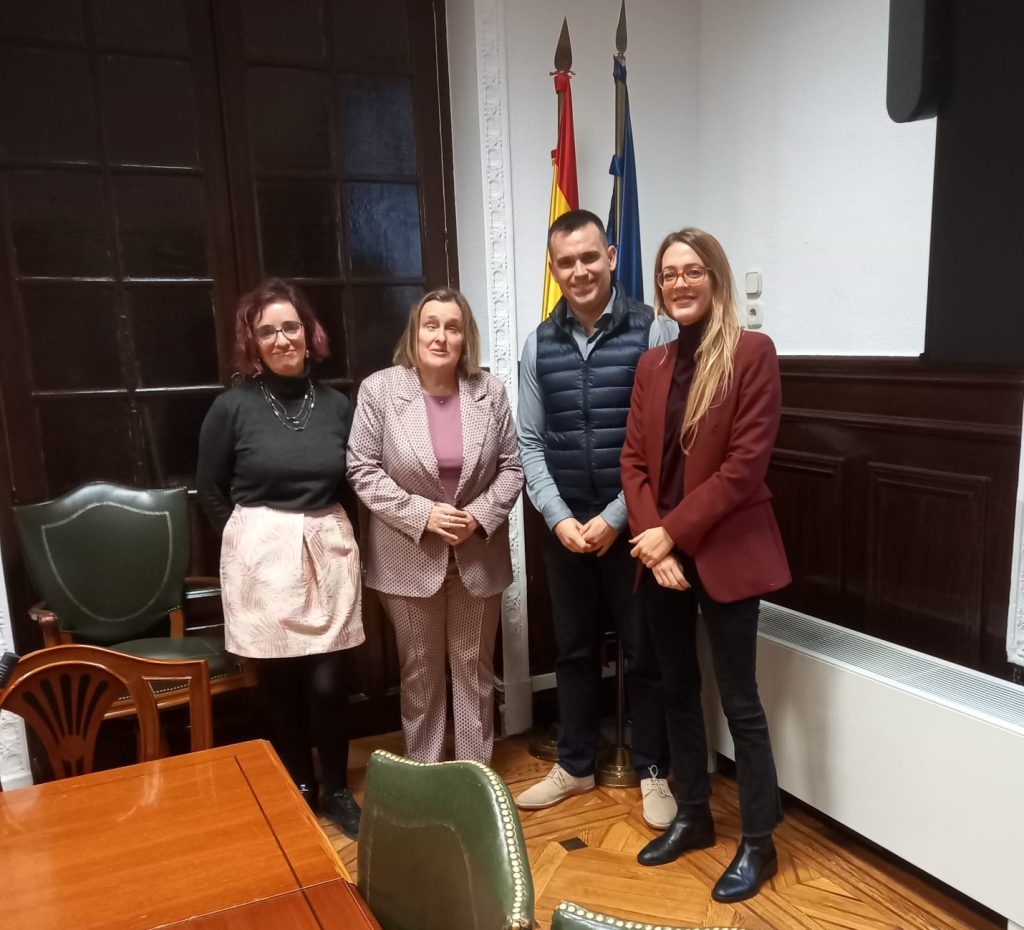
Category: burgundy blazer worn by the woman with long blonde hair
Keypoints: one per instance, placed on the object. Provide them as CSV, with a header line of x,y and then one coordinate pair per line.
x,y
724,521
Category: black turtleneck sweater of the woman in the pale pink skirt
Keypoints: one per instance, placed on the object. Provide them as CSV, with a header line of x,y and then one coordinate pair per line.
x,y
247,456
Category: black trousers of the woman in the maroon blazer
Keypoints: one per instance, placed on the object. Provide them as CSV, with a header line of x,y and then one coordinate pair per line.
x,y
733,631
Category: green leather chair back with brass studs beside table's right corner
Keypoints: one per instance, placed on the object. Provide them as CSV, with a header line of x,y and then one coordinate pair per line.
x,y
442,849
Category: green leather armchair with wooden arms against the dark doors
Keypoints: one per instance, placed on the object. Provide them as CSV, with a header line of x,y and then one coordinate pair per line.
x,y
110,563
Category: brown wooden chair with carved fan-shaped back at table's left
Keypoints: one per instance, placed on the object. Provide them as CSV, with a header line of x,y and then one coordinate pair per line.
x,y
64,695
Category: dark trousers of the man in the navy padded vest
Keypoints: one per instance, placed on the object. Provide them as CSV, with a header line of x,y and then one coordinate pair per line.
x,y
589,596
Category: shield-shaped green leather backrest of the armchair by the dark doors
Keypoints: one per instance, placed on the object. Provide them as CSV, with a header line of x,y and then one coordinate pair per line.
x,y
109,561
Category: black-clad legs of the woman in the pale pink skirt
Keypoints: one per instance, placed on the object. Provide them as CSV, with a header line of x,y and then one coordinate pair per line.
x,y
309,707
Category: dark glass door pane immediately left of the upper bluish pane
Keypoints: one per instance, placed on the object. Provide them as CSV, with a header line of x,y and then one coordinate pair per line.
x,y
289,118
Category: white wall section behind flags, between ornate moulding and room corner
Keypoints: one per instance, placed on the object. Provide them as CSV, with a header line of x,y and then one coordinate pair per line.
x,y
661,63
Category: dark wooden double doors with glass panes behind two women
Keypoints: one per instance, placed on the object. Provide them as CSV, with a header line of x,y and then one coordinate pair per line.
x,y
157,159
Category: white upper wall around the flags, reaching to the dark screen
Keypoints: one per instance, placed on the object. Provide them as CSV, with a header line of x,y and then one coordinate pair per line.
x,y
778,143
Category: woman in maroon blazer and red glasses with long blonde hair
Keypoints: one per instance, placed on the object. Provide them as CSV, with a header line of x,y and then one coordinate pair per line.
x,y
703,421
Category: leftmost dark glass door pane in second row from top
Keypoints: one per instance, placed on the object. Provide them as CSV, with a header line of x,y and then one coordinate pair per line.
x,y
47,106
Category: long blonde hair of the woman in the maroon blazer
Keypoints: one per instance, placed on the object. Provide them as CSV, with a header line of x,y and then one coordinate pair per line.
x,y
713,376
